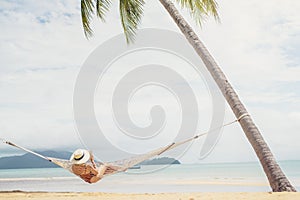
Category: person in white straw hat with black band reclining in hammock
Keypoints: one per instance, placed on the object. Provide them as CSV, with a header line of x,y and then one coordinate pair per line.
x,y
87,171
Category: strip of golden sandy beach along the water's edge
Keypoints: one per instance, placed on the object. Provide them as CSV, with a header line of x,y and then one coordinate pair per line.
x,y
145,196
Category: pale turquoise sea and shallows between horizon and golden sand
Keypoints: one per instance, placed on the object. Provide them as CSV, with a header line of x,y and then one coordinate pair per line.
x,y
219,177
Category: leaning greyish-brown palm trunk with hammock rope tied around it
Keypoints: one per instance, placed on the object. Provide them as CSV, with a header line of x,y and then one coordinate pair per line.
x,y
278,181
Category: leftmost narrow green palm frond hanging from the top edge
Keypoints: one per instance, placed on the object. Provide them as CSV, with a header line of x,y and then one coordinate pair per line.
x,y
87,11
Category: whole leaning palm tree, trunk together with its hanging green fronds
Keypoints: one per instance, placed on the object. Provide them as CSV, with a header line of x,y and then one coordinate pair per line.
x,y
131,13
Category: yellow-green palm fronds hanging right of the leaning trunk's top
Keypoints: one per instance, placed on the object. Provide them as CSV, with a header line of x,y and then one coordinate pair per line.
x,y
200,9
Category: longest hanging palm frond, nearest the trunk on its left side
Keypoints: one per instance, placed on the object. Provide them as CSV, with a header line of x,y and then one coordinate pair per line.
x,y
131,12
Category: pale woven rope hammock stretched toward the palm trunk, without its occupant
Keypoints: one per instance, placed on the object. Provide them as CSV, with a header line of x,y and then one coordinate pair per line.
x,y
121,165
